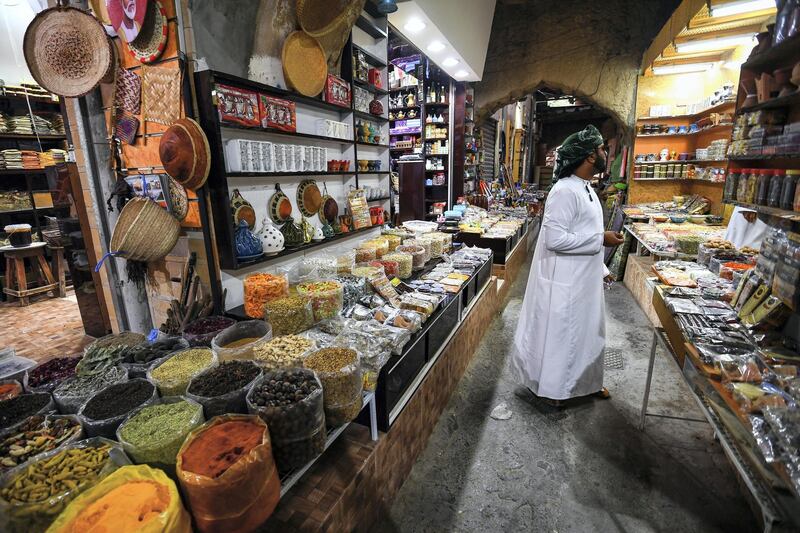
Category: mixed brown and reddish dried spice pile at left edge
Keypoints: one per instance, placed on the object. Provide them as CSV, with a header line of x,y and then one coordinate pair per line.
x,y
37,435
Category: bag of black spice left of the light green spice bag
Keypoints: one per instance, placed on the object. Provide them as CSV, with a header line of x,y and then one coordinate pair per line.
x,y
104,411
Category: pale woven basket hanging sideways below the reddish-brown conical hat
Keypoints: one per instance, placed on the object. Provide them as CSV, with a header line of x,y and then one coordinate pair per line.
x,y
144,231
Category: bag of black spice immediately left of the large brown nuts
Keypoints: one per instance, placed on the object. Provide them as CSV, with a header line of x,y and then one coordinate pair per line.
x,y
222,389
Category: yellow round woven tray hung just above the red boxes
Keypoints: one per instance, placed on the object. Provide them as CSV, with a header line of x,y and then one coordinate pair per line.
x,y
304,65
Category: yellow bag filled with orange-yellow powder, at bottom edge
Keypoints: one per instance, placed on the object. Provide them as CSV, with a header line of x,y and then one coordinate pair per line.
x,y
133,498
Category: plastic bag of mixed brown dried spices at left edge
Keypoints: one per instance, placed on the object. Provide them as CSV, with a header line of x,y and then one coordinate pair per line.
x,y
36,426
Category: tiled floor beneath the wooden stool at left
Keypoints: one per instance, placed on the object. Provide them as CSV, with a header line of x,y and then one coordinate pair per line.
x,y
46,328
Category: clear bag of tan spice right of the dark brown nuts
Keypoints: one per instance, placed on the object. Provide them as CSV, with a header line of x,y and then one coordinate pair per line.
x,y
339,371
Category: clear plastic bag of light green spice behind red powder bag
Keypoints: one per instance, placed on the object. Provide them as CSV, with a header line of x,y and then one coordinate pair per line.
x,y
161,448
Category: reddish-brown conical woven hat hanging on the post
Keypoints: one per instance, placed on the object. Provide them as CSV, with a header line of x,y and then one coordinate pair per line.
x,y
185,153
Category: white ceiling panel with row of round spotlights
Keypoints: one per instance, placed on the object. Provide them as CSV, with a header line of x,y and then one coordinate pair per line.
x,y
454,34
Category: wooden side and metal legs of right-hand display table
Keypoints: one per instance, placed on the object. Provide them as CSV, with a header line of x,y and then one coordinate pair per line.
x,y
772,494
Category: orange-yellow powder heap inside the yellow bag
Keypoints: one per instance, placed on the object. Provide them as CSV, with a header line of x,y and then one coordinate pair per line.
x,y
128,507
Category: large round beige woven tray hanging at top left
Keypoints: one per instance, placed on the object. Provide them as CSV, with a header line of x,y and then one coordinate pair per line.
x,y
67,51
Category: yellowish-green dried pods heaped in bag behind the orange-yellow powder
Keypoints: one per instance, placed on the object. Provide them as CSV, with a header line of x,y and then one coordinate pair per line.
x,y
65,471
